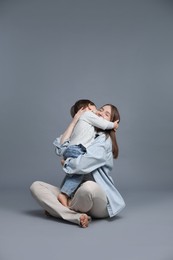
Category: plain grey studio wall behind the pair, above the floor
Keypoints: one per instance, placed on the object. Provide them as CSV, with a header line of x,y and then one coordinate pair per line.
x,y
56,52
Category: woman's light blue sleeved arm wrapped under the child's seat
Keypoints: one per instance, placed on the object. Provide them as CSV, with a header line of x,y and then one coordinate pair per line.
x,y
98,154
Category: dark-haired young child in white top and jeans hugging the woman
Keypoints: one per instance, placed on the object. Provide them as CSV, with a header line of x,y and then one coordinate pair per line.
x,y
81,133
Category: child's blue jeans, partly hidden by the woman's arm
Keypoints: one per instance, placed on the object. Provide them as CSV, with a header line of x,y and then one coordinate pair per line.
x,y
71,182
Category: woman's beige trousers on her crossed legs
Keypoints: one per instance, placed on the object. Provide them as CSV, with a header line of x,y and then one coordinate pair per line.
x,y
89,198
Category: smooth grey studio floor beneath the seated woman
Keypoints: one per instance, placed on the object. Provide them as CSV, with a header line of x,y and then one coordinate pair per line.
x,y
143,230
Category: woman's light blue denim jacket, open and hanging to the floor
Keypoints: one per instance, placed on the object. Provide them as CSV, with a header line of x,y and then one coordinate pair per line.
x,y
98,161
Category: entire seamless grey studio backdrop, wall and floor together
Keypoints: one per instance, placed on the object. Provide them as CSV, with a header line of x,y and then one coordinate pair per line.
x,y
53,53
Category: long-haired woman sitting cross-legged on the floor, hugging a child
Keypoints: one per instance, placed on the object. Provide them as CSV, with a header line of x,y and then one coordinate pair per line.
x,y
97,196
